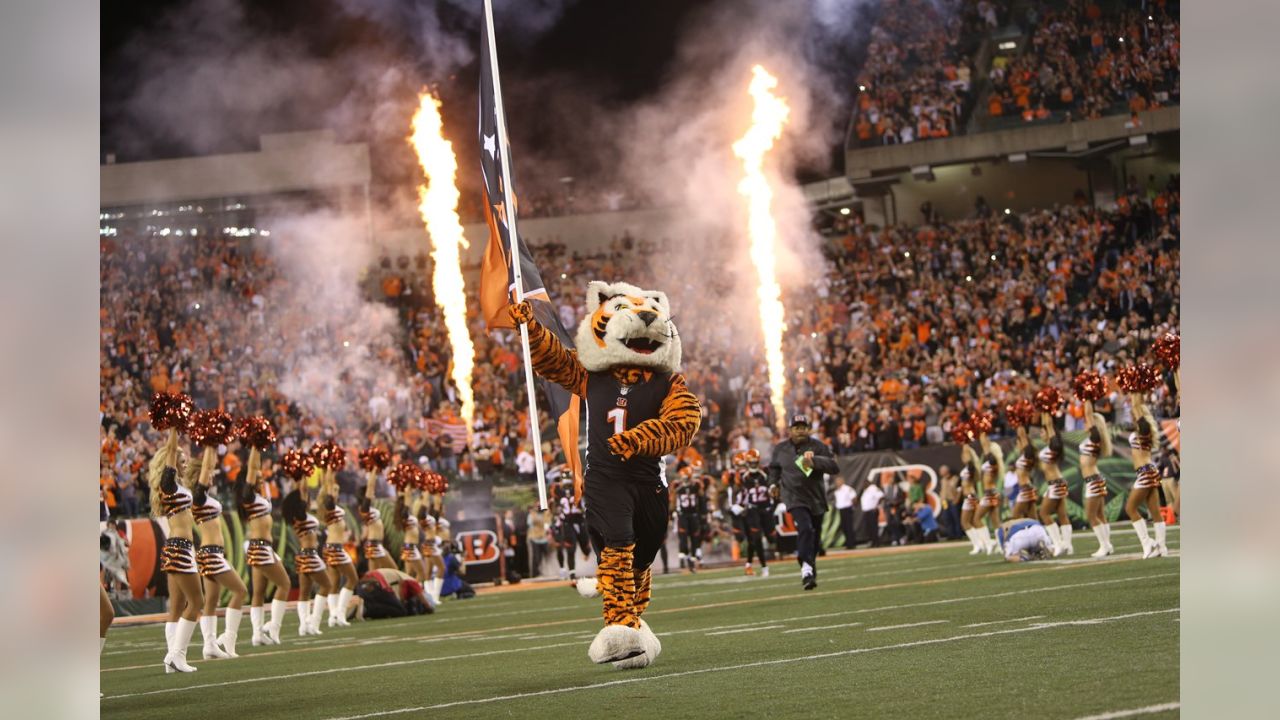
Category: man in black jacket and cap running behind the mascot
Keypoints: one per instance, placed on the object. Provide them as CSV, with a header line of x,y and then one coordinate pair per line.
x,y
799,466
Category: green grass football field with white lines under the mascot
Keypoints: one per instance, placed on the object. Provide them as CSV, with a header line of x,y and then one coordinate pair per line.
x,y
920,634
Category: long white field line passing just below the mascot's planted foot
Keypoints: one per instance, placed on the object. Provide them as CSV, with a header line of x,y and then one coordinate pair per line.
x,y
743,667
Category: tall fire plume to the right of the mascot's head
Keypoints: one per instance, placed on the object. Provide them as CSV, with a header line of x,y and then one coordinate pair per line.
x,y
767,121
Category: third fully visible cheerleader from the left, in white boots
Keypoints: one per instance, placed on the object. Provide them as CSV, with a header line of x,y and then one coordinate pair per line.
x,y
264,563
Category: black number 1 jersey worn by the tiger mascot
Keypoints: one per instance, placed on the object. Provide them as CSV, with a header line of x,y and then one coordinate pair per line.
x,y
614,408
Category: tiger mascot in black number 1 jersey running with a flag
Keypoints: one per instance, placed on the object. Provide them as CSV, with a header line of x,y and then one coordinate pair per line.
x,y
638,409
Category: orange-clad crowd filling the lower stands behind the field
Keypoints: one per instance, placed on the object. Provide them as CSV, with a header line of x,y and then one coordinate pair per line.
x,y
907,329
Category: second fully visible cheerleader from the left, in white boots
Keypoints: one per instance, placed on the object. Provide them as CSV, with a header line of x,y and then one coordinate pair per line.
x,y
212,562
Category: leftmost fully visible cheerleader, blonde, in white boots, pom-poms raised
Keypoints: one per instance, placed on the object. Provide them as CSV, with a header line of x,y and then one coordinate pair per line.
x,y
179,557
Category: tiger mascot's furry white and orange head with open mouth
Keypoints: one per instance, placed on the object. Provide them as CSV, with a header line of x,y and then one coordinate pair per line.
x,y
628,327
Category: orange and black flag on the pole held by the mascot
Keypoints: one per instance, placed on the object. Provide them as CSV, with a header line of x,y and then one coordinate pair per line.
x,y
497,280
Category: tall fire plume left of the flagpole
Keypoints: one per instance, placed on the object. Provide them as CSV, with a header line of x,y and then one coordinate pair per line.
x,y
438,204
